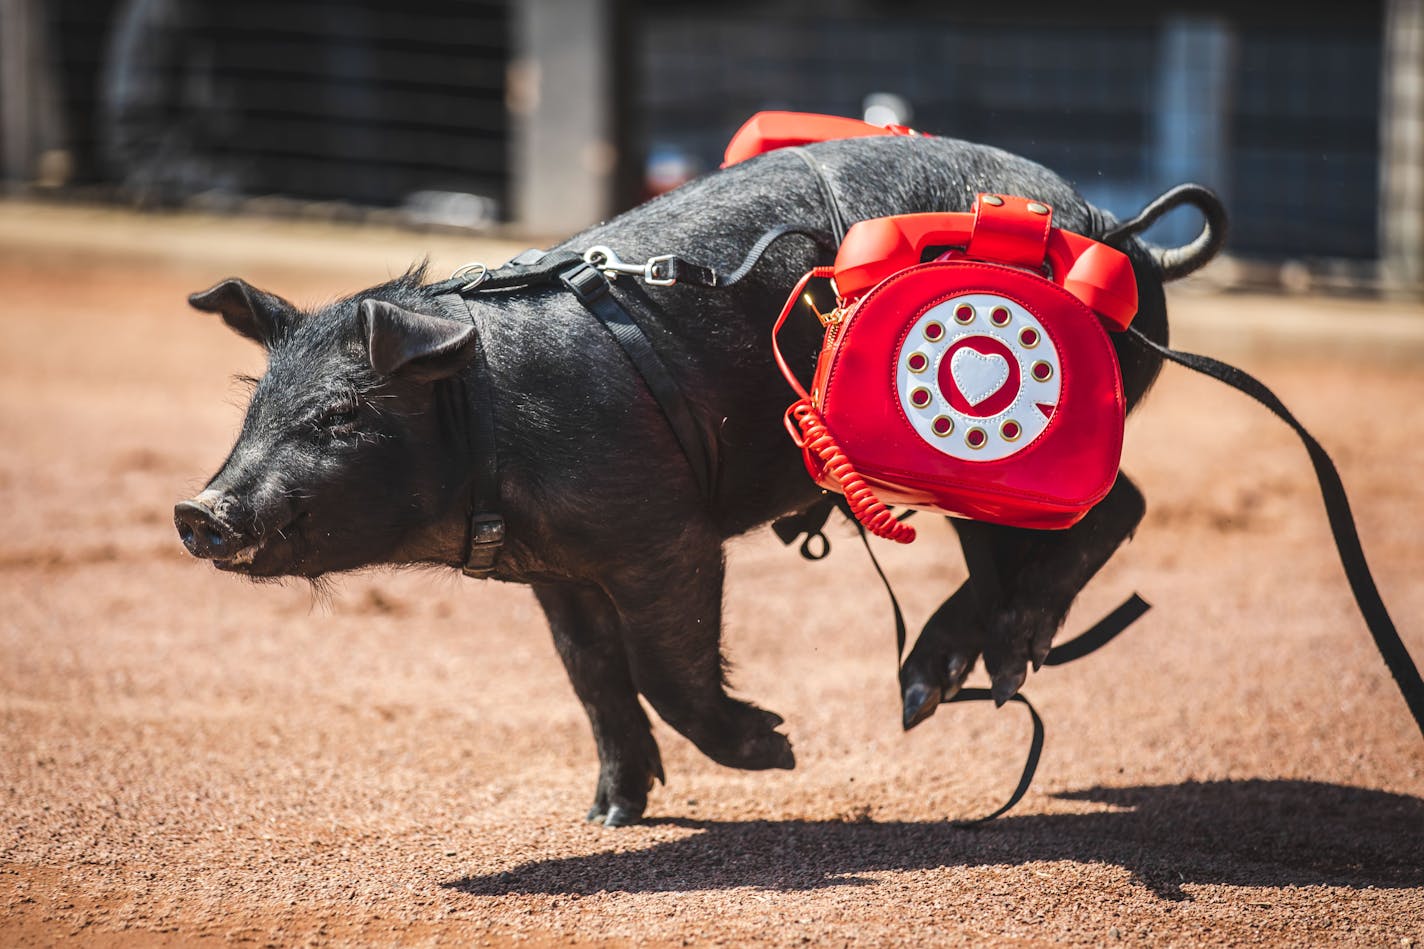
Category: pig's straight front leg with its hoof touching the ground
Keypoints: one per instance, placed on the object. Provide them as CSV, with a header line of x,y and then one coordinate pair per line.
x,y
587,633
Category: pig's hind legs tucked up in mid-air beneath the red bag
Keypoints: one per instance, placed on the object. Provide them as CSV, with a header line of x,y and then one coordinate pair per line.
x,y
1019,592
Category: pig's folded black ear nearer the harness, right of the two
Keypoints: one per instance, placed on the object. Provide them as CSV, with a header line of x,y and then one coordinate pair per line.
x,y
418,347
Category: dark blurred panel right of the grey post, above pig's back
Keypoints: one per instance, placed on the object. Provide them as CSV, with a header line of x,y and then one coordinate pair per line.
x,y
1278,112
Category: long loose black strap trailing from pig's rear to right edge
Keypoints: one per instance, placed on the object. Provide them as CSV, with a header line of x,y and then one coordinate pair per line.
x,y
1338,511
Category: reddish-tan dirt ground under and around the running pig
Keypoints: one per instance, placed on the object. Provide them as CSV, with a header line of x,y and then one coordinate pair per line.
x,y
190,759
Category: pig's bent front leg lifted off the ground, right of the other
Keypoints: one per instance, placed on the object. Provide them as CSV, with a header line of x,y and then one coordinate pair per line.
x,y
671,608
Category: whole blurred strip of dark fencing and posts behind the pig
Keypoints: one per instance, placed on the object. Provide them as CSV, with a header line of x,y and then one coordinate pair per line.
x,y
536,118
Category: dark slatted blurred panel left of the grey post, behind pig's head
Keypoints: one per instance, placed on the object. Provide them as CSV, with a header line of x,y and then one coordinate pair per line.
x,y
361,102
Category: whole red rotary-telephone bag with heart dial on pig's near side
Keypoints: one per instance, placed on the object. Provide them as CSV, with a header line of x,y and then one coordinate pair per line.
x,y
979,384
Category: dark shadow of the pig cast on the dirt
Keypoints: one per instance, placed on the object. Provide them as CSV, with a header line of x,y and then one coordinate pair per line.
x,y
1238,833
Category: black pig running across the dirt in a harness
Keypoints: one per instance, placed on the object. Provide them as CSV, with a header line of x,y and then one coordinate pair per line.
x,y
357,450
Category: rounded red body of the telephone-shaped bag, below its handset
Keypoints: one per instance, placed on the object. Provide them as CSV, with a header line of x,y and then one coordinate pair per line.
x,y
1052,482
